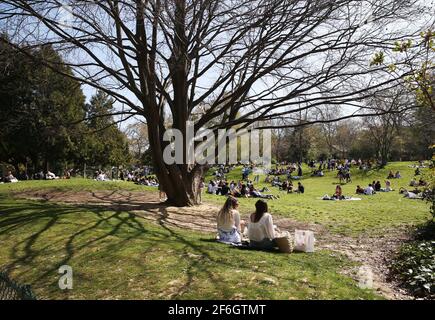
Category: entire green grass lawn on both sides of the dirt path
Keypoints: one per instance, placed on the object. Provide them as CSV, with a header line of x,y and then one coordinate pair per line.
x,y
115,254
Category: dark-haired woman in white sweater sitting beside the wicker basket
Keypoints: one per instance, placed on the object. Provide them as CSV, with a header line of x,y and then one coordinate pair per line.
x,y
261,231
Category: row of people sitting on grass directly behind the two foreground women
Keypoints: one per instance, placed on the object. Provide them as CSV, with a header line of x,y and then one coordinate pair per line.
x,y
238,190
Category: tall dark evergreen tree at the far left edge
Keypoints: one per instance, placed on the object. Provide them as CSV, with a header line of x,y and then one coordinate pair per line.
x,y
39,107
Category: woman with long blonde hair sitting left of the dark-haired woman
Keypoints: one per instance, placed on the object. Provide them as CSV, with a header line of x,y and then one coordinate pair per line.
x,y
228,222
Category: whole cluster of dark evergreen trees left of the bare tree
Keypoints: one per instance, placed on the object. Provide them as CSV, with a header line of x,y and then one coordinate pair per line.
x,y
41,123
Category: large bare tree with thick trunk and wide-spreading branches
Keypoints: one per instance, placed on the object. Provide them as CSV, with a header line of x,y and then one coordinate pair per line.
x,y
247,60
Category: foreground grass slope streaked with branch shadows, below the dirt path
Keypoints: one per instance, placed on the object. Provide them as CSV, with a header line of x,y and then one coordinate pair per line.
x,y
116,255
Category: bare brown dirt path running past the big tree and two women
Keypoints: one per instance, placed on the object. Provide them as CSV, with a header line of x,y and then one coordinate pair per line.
x,y
371,252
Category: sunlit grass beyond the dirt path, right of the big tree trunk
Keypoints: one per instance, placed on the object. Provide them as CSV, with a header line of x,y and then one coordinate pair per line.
x,y
372,215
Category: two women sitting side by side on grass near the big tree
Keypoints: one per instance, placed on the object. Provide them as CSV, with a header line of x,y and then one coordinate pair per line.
x,y
260,229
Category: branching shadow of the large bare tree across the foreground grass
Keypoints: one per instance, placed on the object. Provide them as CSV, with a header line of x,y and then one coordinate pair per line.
x,y
38,224
